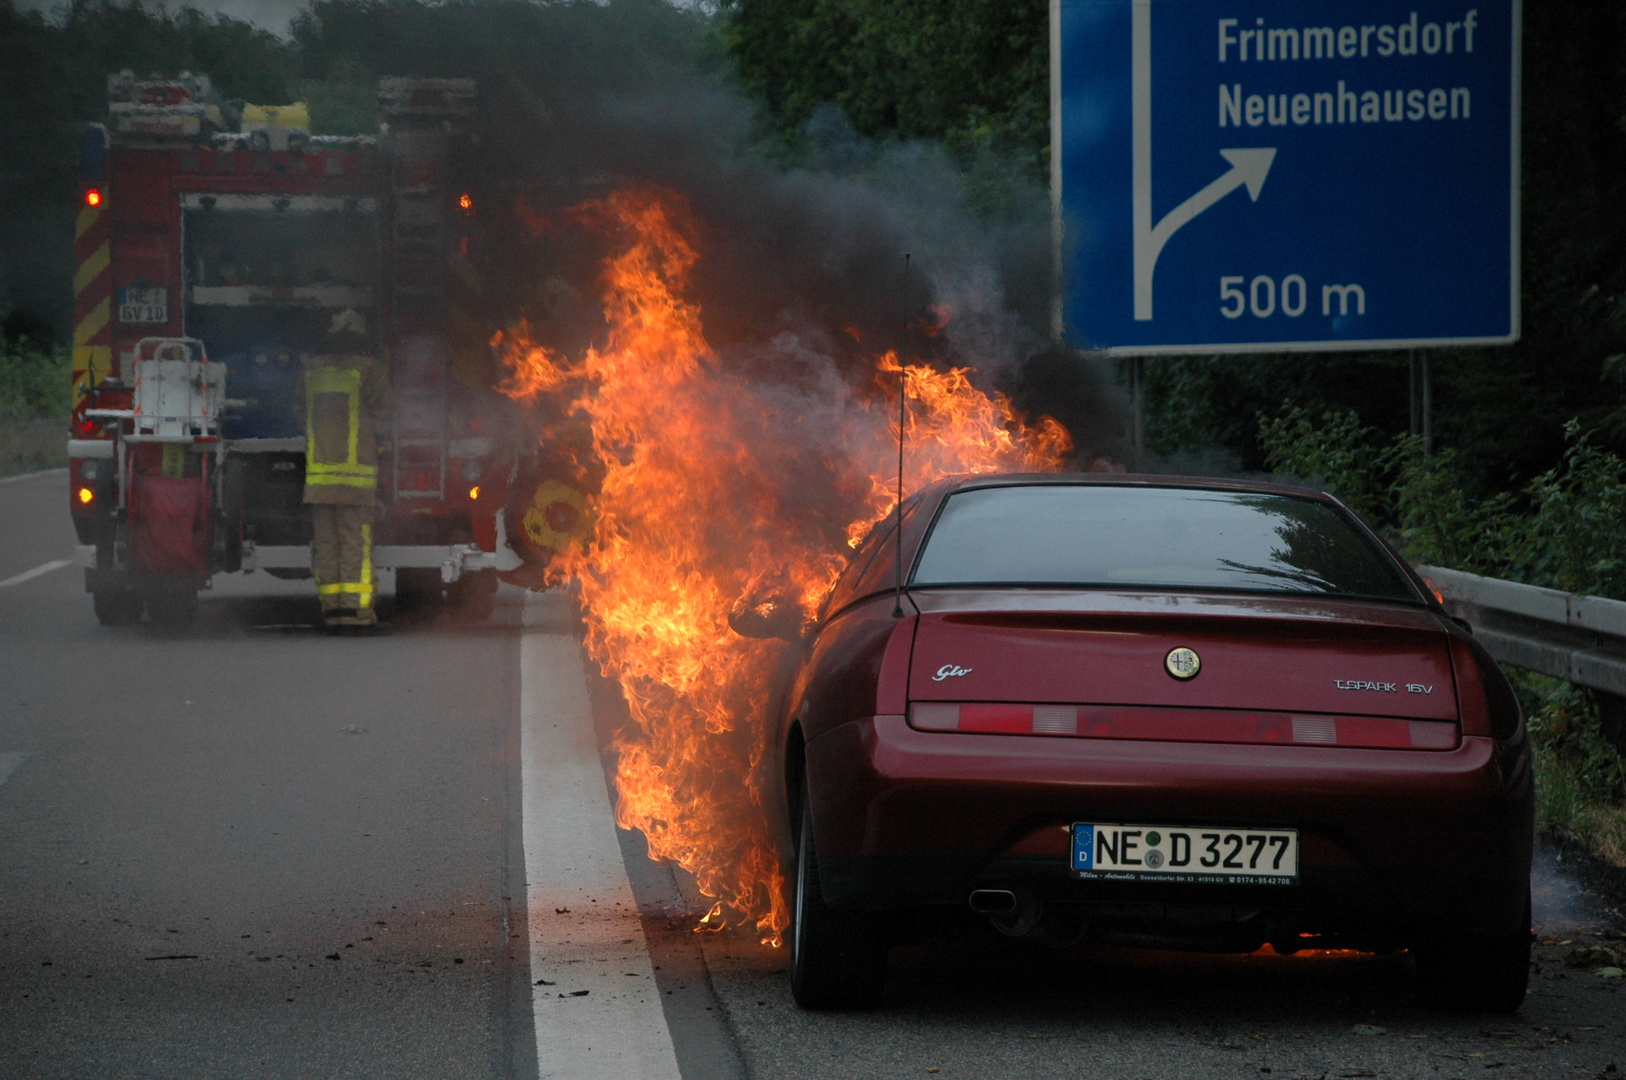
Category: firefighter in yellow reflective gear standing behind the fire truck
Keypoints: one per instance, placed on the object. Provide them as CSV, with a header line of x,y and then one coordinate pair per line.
x,y
344,393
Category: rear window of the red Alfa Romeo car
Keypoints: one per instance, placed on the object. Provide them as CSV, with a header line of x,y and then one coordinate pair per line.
x,y
1154,539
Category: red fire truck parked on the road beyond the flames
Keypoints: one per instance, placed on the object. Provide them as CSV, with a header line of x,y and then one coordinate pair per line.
x,y
214,246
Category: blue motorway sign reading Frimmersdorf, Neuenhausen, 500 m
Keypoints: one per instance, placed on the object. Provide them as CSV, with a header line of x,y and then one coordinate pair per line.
x,y
1287,175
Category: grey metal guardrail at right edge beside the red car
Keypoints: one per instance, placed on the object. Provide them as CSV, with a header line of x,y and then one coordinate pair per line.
x,y
1541,630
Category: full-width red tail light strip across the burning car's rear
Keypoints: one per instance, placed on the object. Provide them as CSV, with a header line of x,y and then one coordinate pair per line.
x,y
1228,726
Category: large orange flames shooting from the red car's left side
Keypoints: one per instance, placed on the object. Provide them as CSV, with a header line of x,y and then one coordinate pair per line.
x,y
720,487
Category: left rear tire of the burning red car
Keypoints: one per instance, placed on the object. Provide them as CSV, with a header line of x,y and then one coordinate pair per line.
x,y
838,959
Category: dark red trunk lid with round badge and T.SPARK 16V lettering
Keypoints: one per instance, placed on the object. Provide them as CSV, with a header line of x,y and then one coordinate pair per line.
x,y
1258,656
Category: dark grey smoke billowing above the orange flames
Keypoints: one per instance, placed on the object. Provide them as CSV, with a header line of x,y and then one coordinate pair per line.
x,y
801,253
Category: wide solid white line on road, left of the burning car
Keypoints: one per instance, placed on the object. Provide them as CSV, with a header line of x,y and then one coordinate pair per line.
x,y
585,926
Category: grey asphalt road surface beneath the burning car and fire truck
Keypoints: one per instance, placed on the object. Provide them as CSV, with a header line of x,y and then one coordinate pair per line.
x,y
251,850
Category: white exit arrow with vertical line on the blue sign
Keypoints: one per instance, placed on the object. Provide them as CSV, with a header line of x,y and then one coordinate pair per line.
x,y
1248,168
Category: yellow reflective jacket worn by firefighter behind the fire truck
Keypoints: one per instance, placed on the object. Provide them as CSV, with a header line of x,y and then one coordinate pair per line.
x,y
341,398
